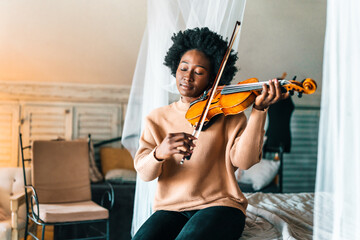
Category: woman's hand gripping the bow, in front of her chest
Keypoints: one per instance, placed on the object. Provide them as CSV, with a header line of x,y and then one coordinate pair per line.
x,y
175,143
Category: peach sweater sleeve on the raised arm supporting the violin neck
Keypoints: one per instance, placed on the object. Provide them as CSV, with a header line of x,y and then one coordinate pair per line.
x,y
247,146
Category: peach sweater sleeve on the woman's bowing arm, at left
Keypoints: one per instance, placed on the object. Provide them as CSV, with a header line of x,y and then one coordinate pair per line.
x,y
145,163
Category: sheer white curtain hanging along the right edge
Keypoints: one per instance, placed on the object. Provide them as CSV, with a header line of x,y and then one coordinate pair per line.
x,y
337,198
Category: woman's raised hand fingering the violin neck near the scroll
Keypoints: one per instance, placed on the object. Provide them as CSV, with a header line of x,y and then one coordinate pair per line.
x,y
269,95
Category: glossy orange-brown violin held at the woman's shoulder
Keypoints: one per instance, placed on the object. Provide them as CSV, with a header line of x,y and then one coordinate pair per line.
x,y
234,99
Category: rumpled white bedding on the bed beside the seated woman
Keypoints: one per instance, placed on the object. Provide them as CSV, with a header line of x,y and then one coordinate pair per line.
x,y
279,216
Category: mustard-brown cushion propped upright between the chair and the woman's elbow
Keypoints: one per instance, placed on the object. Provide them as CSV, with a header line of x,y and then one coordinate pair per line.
x,y
115,158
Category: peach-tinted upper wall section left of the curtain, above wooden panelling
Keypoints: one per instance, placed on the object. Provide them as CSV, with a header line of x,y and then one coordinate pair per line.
x,y
82,41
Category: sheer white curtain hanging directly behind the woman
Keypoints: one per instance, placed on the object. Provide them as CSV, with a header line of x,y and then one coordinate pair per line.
x,y
153,86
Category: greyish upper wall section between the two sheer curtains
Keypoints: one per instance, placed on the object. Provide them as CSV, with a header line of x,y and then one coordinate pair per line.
x,y
282,36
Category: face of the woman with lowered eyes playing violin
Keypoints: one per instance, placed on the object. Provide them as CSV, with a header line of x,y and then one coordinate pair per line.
x,y
193,75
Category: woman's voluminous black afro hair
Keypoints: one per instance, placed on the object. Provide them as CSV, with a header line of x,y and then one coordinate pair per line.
x,y
206,41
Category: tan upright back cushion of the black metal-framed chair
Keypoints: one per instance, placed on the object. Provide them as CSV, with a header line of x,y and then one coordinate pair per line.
x,y
60,171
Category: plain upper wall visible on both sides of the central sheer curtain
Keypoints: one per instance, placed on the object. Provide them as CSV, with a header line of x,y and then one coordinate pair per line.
x,y
91,41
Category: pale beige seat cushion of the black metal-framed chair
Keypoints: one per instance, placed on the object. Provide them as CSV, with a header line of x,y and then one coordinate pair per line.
x,y
69,212
